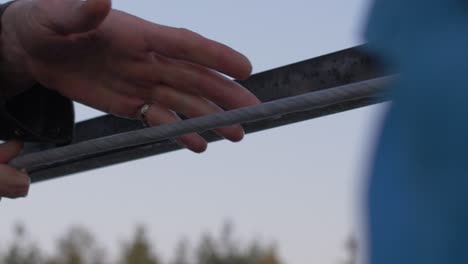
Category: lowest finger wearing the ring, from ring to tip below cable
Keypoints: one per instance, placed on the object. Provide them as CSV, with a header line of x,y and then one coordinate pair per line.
x,y
158,115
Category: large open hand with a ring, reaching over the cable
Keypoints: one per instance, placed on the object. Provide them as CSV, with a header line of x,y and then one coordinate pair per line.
x,y
116,62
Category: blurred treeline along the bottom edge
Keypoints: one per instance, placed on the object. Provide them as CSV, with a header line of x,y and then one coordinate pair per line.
x,y
79,246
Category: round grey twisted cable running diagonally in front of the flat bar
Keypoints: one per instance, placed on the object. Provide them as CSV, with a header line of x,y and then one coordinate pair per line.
x,y
299,103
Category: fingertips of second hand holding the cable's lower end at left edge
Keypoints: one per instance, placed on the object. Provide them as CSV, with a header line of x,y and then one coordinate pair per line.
x,y
13,184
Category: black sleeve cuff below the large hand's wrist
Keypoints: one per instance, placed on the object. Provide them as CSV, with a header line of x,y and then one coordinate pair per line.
x,y
38,114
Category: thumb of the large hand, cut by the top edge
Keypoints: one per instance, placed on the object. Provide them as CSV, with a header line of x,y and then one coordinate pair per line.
x,y
76,16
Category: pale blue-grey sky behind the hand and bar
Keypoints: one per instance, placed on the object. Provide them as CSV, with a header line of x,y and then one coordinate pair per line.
x,y
299,186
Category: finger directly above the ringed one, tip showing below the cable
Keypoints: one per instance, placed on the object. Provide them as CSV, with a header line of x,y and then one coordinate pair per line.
x,y
194,106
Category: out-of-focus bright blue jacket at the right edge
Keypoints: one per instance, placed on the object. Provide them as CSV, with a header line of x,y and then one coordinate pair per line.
x,y
418,196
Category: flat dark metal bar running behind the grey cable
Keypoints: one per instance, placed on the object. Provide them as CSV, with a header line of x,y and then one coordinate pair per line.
x,y
336,69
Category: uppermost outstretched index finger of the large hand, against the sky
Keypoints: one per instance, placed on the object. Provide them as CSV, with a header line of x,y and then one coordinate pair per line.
x,y
186,45
